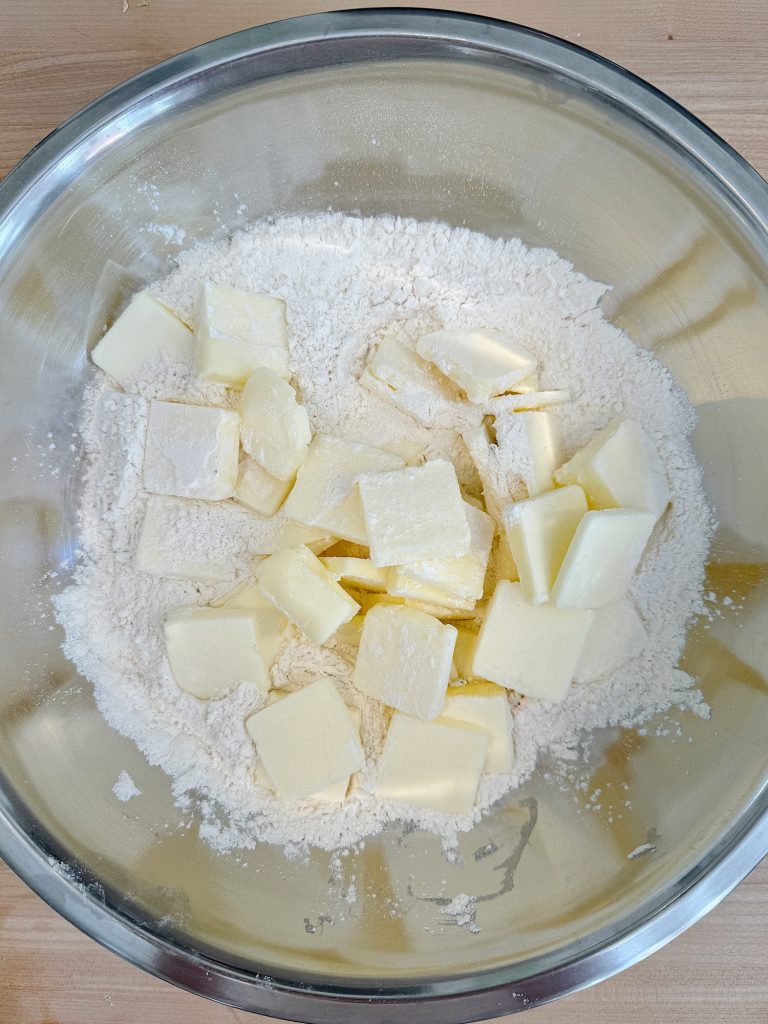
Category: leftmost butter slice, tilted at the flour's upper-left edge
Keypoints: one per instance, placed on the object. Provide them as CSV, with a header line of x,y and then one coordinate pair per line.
x,y
145,332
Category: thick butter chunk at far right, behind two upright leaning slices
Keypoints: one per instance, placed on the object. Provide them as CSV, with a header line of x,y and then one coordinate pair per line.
x,y
620,468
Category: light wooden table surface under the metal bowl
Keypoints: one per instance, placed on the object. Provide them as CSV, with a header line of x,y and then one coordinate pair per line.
x,y
56,56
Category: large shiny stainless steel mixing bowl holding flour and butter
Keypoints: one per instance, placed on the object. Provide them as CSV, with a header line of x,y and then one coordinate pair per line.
x,y
471,122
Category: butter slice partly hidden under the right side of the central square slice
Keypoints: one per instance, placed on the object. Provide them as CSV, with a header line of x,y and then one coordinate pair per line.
x,y
460,579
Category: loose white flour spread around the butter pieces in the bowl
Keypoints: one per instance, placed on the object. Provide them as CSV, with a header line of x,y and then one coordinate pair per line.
x,y
348,283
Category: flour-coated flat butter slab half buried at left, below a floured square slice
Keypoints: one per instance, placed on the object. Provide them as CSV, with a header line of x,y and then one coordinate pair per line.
x,y
194,540
